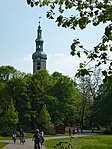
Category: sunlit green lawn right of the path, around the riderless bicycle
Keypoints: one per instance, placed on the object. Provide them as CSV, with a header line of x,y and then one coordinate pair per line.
x,y
88,142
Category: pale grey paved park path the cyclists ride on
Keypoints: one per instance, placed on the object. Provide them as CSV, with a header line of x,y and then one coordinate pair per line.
x,y
29,143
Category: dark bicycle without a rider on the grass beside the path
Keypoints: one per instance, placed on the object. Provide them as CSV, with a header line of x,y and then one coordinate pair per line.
x,y
61,145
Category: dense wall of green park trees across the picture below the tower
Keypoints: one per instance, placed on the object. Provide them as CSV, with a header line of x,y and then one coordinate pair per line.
x,y
43,100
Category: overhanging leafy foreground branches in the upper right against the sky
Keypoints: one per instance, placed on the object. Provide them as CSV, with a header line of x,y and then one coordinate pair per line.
x,y
83,12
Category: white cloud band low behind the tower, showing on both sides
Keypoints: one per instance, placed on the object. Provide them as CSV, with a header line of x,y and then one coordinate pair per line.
x,y
65,64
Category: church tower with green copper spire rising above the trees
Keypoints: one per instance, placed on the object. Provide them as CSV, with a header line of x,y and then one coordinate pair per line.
x,y
39,57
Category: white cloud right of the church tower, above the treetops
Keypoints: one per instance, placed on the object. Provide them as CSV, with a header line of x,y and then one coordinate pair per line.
x,y
65,64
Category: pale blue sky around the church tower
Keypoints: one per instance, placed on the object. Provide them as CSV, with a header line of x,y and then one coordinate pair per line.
x,y
18,31
